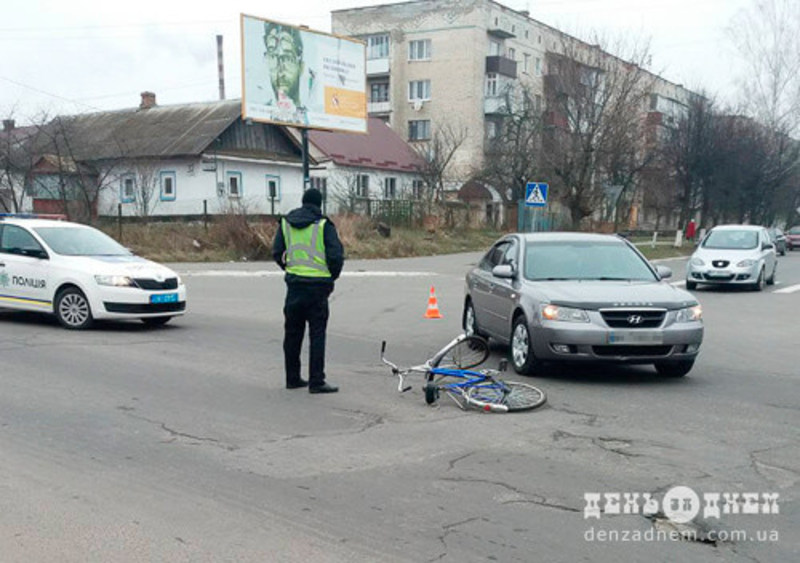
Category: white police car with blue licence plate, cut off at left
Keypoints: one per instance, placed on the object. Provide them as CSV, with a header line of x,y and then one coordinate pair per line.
x,y
80,274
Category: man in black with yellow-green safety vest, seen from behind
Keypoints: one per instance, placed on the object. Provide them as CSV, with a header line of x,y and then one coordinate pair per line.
x,y
308,249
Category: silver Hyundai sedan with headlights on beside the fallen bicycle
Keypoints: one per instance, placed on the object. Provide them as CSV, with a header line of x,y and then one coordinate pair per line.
x,y
572,297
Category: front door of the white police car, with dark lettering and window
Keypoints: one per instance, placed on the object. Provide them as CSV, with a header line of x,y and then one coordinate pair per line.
x,y
24,282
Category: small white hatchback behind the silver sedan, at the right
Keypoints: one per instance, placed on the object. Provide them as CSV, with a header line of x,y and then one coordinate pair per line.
x,y
733,255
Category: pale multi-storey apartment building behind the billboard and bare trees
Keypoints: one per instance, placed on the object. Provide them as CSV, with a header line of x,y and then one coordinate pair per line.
x,y
450,63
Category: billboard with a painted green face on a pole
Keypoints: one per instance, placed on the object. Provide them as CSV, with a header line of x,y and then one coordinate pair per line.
x,y
294,76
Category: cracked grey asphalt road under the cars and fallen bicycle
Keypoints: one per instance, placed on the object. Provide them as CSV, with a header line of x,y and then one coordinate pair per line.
x,y
127,443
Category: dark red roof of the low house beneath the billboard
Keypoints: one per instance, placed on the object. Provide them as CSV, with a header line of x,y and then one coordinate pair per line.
x,y
380,148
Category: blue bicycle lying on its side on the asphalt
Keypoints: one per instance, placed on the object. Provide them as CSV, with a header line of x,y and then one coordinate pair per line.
x,y
448,371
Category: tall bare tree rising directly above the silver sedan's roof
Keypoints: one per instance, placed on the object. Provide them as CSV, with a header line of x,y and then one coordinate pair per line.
x,y
593,99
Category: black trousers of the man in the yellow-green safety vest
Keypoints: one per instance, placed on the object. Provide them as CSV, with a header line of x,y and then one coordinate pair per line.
x,y
305,303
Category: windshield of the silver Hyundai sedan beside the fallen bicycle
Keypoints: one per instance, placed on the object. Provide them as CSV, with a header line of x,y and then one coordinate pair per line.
x,y
584,260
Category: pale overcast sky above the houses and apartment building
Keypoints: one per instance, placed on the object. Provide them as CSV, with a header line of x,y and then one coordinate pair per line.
x,y
85,55
